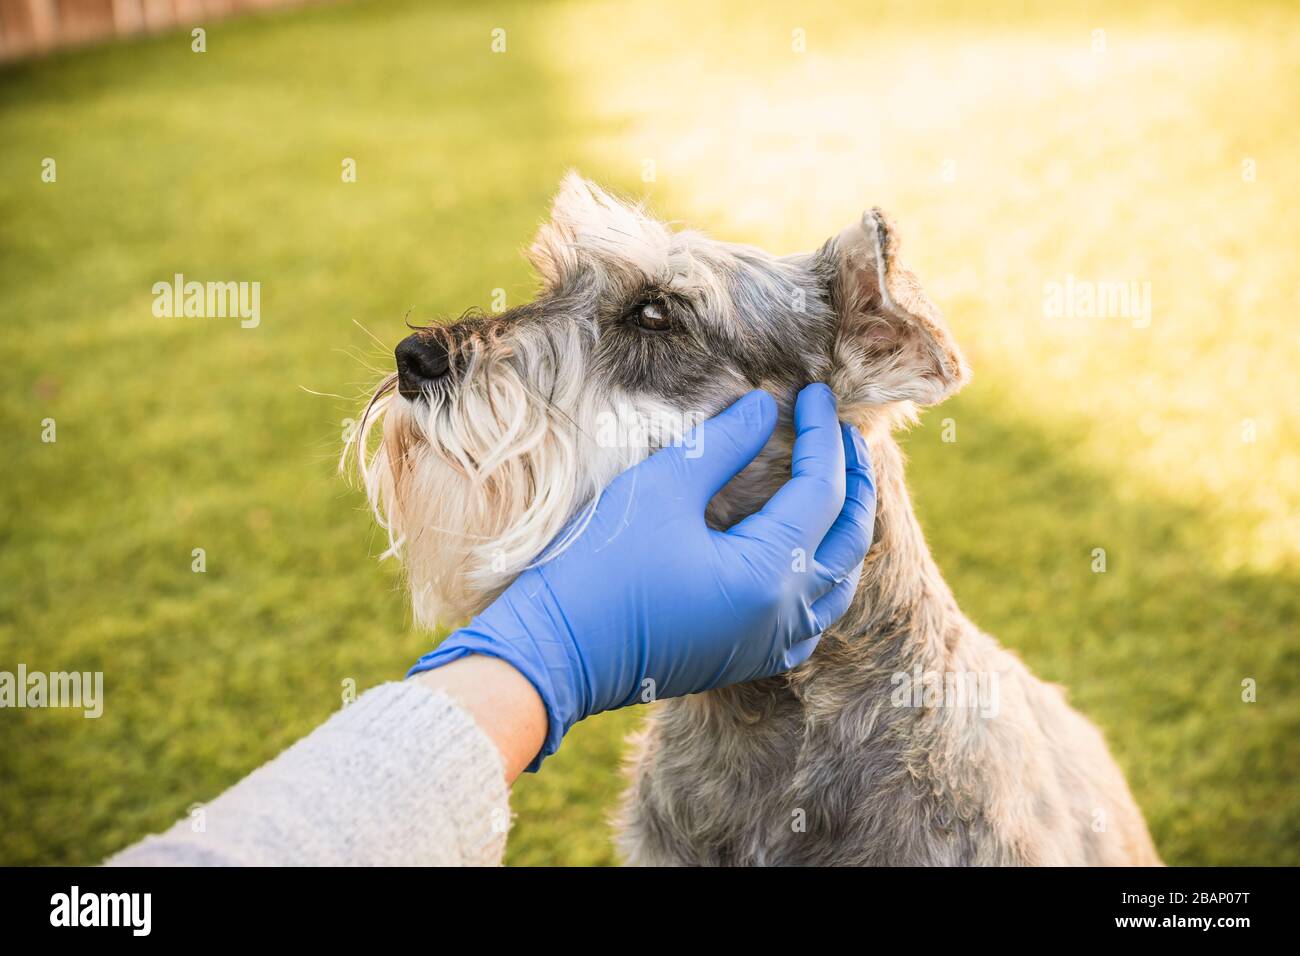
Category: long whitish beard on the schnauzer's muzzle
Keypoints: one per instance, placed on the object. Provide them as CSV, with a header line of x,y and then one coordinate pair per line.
x,y
479,481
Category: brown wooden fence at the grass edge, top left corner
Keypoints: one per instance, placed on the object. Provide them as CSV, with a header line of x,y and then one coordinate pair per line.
x,y
29,28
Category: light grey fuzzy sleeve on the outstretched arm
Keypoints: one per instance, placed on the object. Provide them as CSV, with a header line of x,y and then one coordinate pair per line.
x,y
402,777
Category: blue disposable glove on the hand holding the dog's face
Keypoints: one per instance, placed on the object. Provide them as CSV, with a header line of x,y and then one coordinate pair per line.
x,y
651,603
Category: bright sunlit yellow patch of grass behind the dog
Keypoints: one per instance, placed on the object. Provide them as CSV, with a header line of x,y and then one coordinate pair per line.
x,y
1013,158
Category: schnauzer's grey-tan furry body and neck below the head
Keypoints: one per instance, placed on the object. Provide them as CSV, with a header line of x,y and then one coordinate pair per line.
x,y
829,767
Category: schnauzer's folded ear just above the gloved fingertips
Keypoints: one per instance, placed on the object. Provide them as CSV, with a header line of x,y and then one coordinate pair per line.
x,y
892,344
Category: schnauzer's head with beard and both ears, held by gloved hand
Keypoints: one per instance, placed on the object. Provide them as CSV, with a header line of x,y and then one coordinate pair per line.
x,y
500,430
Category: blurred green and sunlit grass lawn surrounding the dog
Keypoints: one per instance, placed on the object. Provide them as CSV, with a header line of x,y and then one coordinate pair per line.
x,y
1020,148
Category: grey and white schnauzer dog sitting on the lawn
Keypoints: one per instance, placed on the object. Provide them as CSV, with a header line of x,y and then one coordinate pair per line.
x,y
869,754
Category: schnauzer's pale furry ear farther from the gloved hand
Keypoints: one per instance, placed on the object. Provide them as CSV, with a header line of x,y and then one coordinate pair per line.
x,y
592,228
